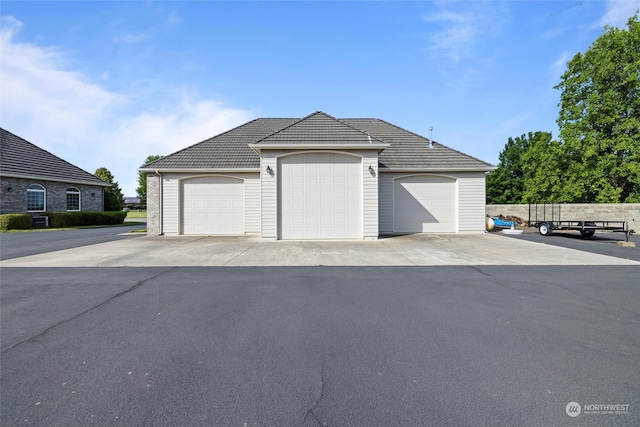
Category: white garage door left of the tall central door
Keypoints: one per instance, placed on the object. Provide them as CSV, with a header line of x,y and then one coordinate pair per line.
x,y
213,205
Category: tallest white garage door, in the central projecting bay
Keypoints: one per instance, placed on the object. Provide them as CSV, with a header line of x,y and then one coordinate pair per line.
x,y
320,196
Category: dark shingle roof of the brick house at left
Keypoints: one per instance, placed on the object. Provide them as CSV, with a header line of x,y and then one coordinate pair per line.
x,y
20,158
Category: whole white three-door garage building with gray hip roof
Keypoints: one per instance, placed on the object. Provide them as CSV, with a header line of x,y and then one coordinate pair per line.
x,y
318,177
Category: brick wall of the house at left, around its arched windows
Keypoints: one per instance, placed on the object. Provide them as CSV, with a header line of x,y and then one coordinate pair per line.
x,y
15,201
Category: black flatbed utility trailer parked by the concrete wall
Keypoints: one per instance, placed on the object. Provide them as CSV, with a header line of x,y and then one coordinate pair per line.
x,y
547,218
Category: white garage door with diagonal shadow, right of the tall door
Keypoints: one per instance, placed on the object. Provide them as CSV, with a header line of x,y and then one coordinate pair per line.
x,y
424,204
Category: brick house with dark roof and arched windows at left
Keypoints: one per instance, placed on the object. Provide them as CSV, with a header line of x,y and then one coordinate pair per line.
x,y
32,180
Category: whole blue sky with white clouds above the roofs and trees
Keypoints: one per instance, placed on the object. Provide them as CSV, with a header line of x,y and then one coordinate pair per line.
x,y
107,83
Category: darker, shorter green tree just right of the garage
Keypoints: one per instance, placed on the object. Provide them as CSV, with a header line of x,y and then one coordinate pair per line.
x,y
506,184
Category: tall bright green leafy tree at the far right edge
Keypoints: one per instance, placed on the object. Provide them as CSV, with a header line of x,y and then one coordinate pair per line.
x,y
599,120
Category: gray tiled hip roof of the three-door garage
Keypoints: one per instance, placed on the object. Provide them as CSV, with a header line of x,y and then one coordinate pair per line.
x,y
231,149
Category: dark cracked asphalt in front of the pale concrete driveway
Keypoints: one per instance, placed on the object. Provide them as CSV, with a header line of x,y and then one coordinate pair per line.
x,y
307,346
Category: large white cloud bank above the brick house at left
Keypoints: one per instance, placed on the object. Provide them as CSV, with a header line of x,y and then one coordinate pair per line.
x,y
63,111
